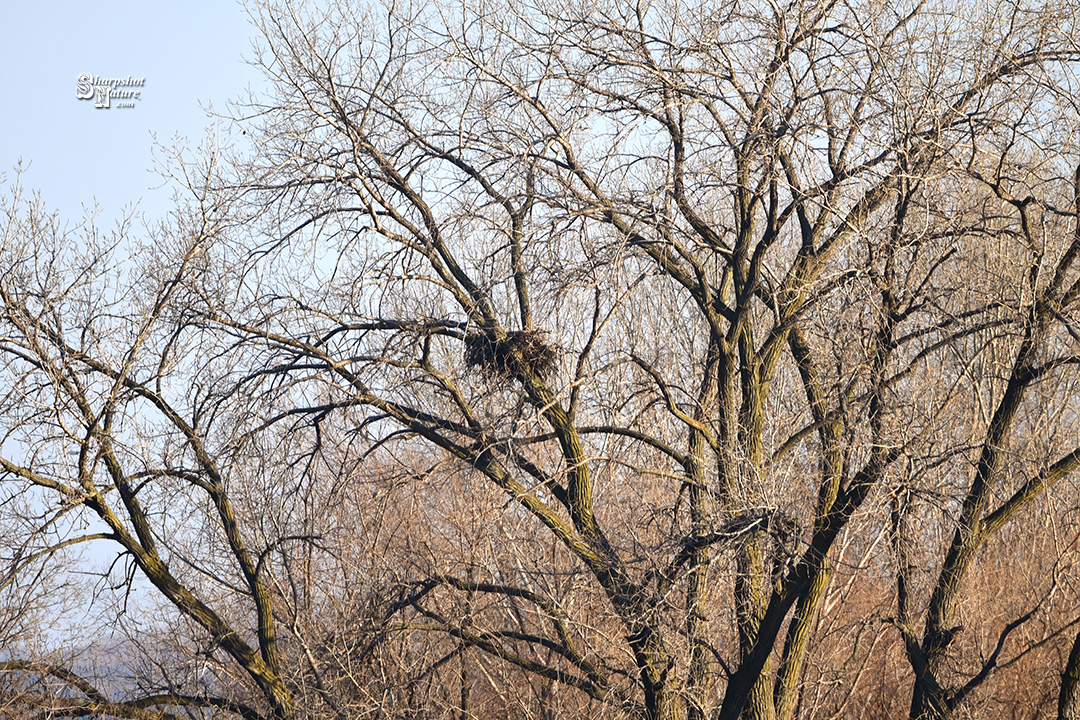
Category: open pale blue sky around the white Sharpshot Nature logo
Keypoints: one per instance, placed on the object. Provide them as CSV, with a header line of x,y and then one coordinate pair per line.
x,y
192,57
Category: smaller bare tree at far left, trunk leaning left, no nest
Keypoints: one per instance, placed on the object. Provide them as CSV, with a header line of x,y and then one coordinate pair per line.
x,y
106,450
